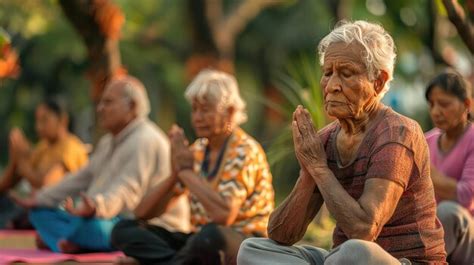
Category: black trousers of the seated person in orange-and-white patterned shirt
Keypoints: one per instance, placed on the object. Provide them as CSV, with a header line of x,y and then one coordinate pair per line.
x,y
149,244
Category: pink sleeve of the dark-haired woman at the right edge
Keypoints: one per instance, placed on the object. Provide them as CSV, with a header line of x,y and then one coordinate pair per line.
x,y
465,186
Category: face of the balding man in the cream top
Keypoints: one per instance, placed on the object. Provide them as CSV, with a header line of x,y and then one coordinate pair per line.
x,y
114,111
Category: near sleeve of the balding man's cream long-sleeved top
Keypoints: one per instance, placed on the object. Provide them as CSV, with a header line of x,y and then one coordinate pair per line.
x,y
132,181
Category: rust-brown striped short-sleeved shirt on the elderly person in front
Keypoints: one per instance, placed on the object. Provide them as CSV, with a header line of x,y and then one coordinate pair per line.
x,y
395,149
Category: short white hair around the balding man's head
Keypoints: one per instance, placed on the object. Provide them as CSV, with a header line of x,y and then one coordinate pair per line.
x,y
134,91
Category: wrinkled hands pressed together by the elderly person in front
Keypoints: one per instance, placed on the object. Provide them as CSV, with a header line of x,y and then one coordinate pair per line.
x,y
309,149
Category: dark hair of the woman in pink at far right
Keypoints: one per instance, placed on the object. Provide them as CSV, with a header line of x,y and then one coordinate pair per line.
x,y
453,83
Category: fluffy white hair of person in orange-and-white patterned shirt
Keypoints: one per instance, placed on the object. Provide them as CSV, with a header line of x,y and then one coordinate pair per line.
x,y
220,89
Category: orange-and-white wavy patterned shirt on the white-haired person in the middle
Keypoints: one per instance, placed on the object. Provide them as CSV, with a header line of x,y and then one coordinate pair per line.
x,y
244,173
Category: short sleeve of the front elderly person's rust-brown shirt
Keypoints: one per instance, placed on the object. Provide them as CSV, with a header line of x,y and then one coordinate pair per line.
x,y
392,161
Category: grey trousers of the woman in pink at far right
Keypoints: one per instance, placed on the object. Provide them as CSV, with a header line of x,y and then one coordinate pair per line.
x,y
458,225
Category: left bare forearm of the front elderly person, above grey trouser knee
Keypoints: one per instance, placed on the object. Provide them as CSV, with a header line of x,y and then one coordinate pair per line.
x,y
289,221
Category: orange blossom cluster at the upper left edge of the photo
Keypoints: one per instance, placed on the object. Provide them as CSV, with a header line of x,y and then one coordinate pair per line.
x,y
9,67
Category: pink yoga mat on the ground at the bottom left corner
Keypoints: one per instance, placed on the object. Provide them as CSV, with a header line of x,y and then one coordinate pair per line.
x,y
40,256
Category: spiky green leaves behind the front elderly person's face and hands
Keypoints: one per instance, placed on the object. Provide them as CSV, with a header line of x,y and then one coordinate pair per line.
x,y
298,86
